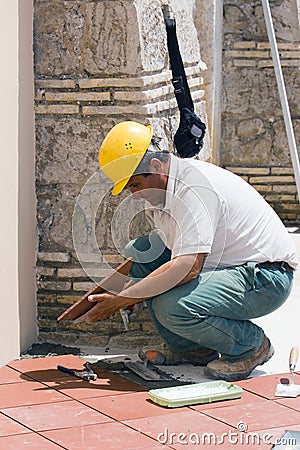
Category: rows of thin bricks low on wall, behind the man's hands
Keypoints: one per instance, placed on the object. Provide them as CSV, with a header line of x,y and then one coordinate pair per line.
x,y
60,284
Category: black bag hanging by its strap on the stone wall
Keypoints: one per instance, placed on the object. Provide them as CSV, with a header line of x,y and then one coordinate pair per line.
x,y
188,139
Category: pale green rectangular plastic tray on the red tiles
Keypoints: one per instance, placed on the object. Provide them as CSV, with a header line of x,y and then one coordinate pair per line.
x,y
192,394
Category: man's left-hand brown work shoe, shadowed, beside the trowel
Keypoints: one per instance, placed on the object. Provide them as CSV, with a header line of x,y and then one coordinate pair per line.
x,y
161,355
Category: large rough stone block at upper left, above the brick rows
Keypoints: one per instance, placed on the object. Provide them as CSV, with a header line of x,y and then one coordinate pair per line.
x,y
85,37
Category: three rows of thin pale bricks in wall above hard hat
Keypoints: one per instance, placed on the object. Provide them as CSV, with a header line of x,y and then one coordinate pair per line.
x,y
142,95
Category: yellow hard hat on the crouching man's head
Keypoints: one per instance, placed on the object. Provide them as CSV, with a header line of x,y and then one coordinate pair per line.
x,y
122,150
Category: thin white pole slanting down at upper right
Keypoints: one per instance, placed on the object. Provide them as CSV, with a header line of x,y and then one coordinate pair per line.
x,y
282,94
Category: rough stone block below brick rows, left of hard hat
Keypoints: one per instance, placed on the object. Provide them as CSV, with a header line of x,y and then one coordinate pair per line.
x,y
67,149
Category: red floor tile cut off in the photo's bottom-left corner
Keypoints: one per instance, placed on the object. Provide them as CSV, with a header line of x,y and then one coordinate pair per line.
x,y
31,440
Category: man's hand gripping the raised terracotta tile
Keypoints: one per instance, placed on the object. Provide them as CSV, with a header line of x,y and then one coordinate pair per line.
x,y
107,304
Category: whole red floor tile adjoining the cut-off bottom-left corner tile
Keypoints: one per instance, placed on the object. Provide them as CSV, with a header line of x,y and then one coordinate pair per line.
x,y
56,415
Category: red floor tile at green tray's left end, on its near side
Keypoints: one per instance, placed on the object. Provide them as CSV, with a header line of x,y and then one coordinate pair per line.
x,y
129,406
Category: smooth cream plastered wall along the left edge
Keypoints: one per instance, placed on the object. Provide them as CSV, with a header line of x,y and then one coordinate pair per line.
x,y
17,198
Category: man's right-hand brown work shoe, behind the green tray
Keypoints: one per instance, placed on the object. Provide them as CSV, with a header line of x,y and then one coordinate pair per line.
x,y
239,370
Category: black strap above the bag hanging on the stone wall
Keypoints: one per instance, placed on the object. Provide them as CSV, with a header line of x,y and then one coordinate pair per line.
x,y
180,84
